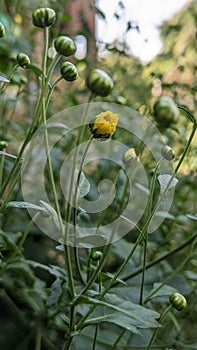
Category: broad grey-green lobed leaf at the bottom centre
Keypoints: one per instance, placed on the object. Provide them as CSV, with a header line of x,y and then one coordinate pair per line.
x,y
121,312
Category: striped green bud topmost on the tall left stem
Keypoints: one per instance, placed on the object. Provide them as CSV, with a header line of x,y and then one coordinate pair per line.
x,y
43,17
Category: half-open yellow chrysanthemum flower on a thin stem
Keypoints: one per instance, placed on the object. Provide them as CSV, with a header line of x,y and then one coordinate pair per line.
x,y
104,126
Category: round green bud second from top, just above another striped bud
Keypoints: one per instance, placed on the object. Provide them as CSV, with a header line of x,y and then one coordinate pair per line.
x,y
65,46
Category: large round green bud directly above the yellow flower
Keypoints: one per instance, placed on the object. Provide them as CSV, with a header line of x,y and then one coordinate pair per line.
x,y
99,82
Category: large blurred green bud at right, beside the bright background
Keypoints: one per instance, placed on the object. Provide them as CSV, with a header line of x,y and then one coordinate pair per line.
x,y
165,111
